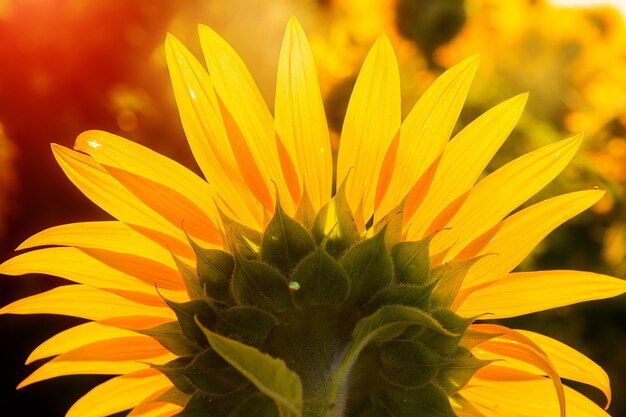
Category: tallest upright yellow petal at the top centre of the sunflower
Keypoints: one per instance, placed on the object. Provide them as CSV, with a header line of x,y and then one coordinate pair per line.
x,y
300,118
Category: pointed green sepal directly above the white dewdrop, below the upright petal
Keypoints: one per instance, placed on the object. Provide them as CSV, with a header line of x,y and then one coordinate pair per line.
x,y
285,241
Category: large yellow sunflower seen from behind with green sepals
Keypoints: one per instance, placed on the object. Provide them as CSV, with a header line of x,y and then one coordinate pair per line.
x,y
282,286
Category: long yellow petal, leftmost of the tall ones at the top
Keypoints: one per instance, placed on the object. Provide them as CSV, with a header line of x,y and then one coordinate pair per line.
x,y
202,121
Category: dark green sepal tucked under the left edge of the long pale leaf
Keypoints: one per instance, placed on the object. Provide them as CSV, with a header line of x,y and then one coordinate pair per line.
x,y
212,376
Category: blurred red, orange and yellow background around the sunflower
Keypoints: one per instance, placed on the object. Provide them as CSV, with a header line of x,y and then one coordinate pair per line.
x,y
71,65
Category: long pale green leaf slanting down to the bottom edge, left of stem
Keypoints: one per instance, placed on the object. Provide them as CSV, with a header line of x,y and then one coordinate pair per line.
x,y
270,375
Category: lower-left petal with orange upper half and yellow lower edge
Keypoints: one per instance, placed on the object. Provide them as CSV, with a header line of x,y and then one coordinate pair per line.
x,y
108,357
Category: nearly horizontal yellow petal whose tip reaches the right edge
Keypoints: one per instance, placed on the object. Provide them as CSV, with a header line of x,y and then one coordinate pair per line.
x,y
527,292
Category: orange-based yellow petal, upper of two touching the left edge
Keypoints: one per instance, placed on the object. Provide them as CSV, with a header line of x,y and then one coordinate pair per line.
x,y
100,269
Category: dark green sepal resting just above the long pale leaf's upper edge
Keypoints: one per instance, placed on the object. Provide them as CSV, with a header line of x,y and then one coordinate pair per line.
x,y
249,325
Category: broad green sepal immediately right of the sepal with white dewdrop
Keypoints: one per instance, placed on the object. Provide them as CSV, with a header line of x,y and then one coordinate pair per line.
x,y
369,268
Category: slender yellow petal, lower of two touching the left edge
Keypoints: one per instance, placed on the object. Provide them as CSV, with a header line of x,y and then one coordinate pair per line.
x,y
85,302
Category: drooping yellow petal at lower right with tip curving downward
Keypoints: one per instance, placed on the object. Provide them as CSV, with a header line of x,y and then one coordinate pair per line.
x,y
572,364
